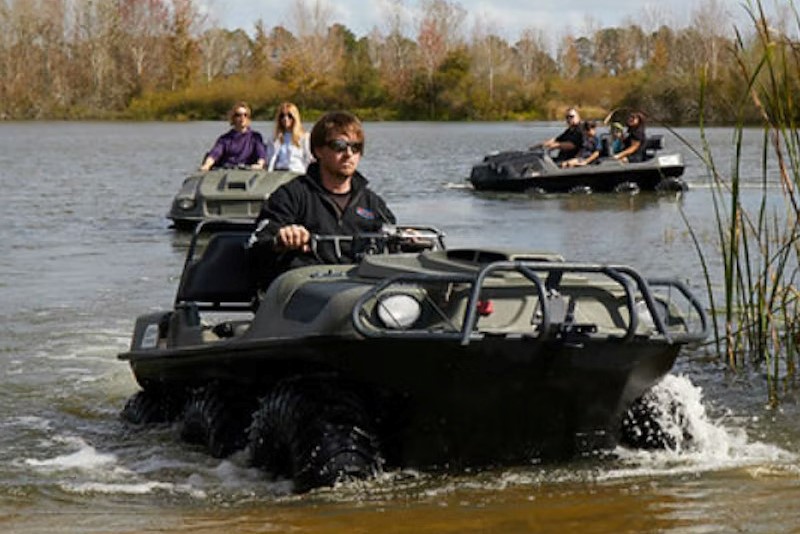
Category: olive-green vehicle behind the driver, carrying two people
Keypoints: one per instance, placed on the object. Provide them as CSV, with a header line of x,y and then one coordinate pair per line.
x,y
224,194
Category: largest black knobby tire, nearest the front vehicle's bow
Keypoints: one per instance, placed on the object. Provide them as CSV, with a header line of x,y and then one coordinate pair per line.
x,y
315,433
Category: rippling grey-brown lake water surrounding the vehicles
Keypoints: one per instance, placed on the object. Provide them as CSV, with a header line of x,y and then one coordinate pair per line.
x,y
85,247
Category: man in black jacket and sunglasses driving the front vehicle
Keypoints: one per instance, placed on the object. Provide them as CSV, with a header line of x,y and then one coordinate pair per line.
x,y
332,198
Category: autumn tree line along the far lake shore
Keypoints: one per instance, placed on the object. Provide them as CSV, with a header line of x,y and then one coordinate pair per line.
x,y
167,59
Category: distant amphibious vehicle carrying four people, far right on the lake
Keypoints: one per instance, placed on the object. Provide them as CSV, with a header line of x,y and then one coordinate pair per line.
x,y
535,171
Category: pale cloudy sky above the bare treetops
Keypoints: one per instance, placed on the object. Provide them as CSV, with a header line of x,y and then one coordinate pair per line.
x,y
506,17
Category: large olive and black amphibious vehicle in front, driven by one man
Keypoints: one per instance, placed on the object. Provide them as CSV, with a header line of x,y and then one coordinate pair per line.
x,y
435,359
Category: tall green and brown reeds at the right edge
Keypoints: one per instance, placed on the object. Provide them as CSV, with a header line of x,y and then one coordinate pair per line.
x,y
757,308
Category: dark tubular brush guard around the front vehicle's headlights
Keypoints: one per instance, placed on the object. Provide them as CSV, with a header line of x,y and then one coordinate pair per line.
x,y
629,279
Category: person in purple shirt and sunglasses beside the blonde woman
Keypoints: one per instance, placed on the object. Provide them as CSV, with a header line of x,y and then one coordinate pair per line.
x,y
241,145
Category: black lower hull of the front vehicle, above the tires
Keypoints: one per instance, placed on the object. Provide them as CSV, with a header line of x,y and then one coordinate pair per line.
x,y
494,401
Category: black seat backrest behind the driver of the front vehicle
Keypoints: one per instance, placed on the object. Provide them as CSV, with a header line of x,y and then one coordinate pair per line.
x,y
222,277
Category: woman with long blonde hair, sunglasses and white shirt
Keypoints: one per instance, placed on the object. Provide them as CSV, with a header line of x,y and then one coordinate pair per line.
x,y
290,149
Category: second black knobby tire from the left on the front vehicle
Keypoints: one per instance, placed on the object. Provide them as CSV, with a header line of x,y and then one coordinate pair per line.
x,y
218,423
